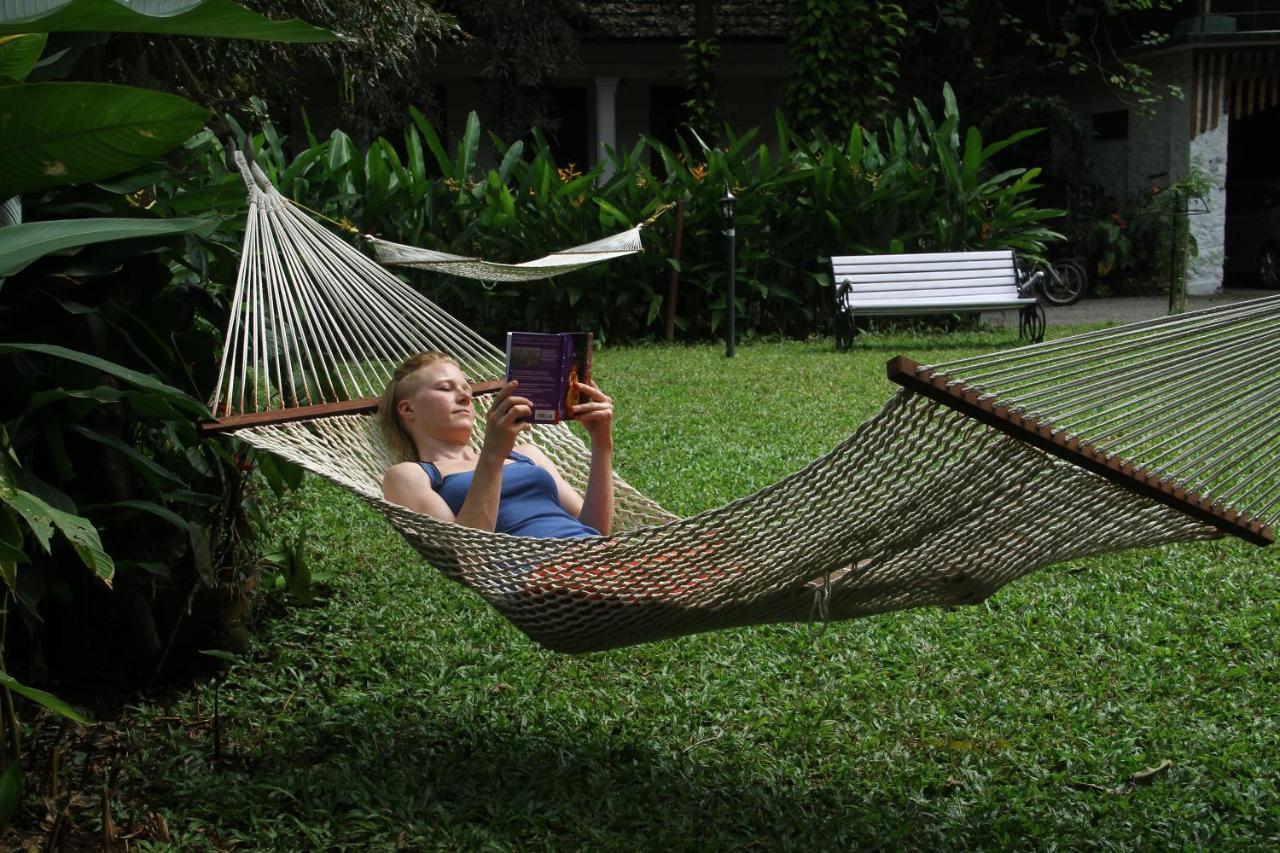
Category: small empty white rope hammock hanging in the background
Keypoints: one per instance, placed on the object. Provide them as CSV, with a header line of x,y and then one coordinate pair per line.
x,y
555,264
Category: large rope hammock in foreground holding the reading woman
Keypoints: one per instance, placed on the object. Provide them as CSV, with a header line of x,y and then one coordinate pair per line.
x,y
976,473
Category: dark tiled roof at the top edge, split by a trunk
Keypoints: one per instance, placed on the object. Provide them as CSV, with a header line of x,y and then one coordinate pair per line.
x,y
674,20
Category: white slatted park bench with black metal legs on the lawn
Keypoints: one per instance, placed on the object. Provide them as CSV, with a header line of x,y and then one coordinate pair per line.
x,y
932,284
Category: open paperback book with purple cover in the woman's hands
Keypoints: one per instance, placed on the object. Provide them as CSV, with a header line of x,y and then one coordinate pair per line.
x,y
547,367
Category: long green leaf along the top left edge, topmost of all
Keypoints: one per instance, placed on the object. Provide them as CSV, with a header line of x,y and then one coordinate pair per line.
x,y
216,19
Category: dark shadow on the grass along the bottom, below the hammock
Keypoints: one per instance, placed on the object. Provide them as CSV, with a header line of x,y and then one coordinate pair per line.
x,y
477,781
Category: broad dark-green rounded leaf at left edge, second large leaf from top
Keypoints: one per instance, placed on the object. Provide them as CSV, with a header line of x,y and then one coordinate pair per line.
x,y
58,134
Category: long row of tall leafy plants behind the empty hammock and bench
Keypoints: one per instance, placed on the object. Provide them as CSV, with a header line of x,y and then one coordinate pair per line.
x,y
920,184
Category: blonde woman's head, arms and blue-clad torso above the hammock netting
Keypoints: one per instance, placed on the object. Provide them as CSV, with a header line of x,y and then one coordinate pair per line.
x,y
427,416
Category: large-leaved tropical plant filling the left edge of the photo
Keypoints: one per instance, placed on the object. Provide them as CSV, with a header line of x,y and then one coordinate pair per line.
x,y
83,431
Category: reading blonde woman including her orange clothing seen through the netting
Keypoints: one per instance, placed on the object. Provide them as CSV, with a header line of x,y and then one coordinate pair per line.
x,y
427,416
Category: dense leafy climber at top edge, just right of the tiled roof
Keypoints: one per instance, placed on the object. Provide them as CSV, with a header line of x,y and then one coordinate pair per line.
x,y
844,62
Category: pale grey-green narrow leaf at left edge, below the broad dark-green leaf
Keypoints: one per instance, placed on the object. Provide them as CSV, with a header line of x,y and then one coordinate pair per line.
x,y
21,245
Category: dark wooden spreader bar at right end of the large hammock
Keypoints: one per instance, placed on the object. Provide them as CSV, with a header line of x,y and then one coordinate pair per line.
x,y
966,400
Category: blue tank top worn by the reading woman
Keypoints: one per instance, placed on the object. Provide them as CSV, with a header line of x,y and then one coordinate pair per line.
x,y
528,505
